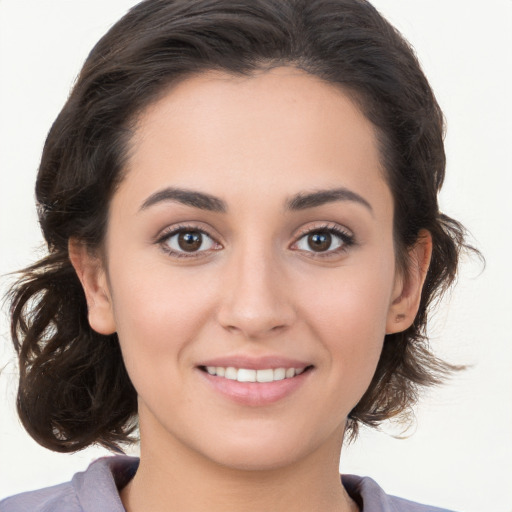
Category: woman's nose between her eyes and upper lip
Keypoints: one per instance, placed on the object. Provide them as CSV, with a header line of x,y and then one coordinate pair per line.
x,y
256,302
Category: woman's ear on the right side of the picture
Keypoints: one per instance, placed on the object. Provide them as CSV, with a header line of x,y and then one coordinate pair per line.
x,y
408,287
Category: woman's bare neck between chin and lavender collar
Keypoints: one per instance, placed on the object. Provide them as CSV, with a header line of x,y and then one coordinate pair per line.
x,y
173,477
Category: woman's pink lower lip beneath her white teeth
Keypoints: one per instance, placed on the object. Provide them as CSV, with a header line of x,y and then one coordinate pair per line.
x,y
255,393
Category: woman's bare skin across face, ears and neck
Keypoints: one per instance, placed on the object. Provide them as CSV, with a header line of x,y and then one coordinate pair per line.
x,y
255,288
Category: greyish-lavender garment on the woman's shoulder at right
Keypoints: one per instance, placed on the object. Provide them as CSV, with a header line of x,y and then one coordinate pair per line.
x,y
371,497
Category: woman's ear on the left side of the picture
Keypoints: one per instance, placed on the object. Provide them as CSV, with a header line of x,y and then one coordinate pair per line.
x,y
90,270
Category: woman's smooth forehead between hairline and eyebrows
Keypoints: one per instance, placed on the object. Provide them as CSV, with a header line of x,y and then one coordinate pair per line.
x,y
278,127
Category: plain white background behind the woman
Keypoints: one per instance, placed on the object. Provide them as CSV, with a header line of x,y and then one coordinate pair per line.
x,y
459,451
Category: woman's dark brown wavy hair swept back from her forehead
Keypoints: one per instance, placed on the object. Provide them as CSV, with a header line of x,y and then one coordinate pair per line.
x,y
73,388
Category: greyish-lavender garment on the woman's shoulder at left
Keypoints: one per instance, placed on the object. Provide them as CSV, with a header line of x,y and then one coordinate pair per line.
x,y
93,490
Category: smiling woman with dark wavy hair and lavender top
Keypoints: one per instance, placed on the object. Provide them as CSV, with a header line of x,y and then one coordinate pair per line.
x,y
240,205
